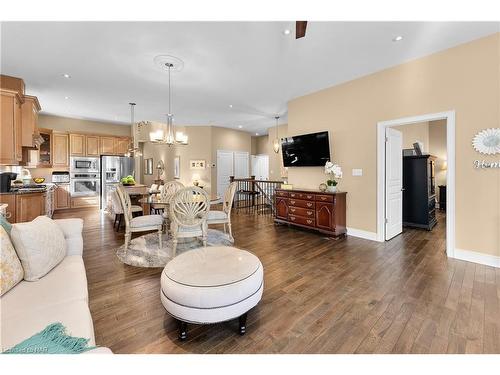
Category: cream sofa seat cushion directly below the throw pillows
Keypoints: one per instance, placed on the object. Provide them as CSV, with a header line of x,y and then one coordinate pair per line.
x,y
65,283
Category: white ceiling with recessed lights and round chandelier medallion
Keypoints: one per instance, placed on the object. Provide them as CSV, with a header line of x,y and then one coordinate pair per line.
x,y
251,65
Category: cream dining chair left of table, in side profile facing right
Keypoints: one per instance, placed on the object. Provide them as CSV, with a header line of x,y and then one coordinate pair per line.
x,y
140,223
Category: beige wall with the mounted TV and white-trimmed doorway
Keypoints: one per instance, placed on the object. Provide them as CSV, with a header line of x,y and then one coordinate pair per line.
x,y
465,79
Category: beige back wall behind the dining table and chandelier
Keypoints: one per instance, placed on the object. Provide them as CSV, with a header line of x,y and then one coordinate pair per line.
x,y
204,141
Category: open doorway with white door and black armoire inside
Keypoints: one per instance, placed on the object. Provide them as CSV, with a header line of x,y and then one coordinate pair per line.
x,y
393,138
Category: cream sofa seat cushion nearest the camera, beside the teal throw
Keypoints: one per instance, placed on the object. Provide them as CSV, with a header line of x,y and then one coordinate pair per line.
x,y
75,316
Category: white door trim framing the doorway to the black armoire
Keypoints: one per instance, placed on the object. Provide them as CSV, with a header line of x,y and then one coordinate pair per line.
x,y
449,116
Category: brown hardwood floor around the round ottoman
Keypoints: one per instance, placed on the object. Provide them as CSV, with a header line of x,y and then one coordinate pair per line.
x,y
320,296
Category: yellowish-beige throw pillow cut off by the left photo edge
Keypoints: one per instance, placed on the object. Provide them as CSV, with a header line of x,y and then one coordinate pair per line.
x,y
11,271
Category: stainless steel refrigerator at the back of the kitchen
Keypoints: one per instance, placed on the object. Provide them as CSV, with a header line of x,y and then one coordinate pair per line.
x,y
113,168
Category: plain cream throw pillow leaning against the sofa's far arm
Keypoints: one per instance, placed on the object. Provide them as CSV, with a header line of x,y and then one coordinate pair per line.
x,y
40,246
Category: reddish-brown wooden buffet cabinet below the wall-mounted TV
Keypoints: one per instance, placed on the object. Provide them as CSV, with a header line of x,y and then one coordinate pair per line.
x,y
321,211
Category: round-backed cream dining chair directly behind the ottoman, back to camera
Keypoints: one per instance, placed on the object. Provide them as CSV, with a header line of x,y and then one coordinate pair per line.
x,y
188,215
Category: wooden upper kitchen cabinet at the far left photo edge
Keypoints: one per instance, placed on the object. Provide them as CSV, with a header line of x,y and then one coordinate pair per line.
x,y
10,128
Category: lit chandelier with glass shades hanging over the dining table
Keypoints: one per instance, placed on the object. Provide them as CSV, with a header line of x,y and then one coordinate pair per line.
x,y
166,134
